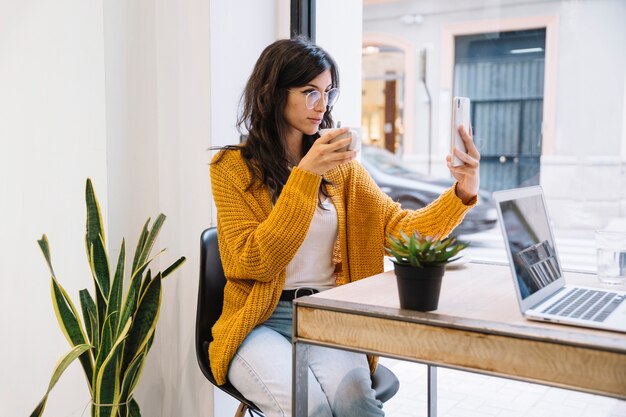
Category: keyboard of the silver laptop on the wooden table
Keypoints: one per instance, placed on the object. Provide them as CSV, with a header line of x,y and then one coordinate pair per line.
x,y
586,304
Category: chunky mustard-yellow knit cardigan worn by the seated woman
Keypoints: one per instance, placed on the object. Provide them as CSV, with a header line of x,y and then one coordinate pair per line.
x,y
258,240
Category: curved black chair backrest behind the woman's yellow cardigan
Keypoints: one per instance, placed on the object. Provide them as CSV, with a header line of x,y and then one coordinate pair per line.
x,y
210,301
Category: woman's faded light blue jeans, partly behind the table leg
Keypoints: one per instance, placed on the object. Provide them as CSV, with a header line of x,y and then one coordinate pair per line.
x,y
339,381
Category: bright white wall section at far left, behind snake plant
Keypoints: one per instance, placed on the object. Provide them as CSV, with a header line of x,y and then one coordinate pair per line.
x,y
52,133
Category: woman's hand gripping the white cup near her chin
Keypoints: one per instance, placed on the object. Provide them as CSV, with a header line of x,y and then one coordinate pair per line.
x,y
324,155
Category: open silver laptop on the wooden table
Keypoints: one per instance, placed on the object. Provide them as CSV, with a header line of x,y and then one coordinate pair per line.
x,y
541,289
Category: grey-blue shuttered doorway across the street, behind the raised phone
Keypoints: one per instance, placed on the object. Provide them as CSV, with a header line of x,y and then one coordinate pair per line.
x,y
503,74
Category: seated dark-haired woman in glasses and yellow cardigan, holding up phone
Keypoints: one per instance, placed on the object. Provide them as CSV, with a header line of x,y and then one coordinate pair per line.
x,y
295,213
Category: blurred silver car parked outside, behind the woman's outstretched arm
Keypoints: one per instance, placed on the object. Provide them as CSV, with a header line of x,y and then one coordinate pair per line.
x,y
414,190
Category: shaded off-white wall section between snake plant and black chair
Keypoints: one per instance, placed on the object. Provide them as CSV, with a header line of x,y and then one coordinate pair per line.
x,y
158,129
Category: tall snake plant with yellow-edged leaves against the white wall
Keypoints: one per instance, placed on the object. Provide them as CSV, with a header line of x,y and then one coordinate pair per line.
x,y
113,333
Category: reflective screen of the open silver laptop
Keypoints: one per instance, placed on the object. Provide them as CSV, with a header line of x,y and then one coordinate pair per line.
x,y
530,243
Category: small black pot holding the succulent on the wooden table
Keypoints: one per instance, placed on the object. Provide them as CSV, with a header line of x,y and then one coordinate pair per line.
x,y
419,288
